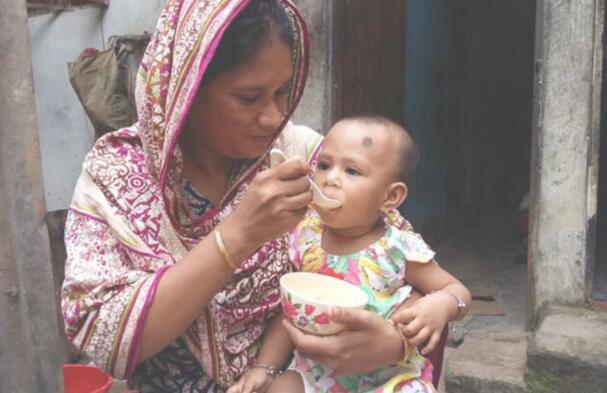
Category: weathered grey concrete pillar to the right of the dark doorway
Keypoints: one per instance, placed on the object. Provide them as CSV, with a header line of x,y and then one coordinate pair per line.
x,y
565,152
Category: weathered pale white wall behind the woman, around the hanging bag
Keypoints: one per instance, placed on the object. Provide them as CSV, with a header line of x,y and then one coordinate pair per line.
x,y
56,39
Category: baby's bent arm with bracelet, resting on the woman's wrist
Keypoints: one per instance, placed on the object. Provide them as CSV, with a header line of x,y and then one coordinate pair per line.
x,y
444,301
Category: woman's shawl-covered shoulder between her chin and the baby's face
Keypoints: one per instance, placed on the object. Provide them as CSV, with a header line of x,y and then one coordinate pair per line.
x,y
299,140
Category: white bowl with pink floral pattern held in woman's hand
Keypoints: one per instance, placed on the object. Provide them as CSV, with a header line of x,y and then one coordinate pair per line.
x,y
307,297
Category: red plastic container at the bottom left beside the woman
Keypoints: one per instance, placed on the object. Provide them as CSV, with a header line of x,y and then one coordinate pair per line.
x,y
80,378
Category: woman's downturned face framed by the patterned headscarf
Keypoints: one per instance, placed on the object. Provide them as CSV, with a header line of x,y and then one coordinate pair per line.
x,y
237,114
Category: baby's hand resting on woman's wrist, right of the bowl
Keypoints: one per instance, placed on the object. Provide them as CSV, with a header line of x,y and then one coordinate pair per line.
x,y
425,320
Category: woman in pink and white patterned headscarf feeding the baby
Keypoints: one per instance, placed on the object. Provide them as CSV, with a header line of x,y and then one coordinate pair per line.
x,y
175,236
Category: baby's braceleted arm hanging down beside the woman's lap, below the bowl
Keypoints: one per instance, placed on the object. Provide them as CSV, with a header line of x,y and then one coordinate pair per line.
x,y
273,354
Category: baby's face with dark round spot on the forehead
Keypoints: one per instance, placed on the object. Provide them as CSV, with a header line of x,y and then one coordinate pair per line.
x,y
356,166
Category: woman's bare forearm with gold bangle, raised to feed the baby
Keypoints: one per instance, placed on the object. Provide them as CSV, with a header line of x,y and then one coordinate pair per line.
x,y
187,287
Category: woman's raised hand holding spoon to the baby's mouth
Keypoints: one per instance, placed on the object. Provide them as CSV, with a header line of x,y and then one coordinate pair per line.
x,y
275,202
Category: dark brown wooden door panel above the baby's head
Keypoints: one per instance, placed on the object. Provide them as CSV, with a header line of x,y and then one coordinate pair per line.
x,y
369,57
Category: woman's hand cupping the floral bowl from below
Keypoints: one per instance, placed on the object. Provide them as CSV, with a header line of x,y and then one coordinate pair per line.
x,y
368,343
